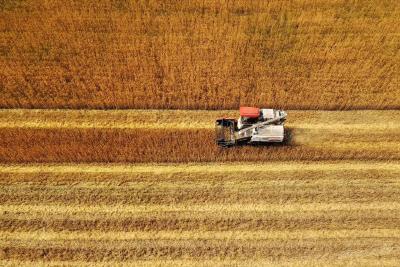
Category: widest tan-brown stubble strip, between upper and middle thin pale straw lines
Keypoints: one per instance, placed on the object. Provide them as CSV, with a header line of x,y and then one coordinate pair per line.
x,y
242,191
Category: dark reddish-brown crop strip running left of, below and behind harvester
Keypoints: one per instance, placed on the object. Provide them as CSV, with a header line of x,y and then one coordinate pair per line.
x,y
96,145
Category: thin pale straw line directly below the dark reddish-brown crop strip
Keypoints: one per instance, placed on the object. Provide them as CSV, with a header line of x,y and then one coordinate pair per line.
x,y
204,168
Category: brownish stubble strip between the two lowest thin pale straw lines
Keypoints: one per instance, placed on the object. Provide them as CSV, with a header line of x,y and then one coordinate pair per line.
x,y
17,219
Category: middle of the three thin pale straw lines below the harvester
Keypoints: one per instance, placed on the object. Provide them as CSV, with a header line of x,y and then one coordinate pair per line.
x,y
201,207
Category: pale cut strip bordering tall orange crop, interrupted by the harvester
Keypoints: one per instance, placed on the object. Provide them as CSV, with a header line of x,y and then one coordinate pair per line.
x,y
186,119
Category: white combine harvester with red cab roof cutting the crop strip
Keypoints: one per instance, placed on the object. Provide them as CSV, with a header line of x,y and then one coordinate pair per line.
x,y
254,126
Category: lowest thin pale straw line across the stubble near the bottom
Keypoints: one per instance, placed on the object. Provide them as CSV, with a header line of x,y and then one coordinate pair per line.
x,y
45,235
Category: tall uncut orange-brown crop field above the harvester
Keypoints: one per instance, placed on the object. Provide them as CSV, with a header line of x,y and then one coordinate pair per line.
x,y
200,54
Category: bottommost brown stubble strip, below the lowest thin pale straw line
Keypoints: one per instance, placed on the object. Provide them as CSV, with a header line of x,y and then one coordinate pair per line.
x,y
197,249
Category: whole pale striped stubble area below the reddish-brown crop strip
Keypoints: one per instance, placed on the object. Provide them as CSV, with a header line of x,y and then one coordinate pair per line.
x,y
292,213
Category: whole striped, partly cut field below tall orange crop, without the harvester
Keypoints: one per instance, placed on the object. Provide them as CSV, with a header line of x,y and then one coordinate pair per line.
x,y
156,191
